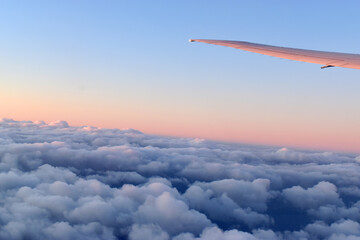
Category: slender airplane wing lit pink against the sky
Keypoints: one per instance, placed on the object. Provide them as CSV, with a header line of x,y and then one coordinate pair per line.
x,y
327,59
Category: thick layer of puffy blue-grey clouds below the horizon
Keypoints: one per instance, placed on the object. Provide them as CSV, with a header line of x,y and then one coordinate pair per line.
x,y
64,182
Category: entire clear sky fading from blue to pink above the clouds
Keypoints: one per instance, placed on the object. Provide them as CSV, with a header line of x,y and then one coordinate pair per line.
x,y
128,64
